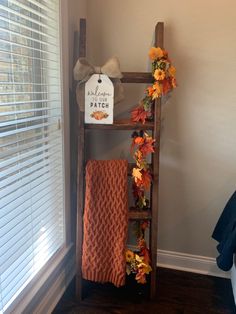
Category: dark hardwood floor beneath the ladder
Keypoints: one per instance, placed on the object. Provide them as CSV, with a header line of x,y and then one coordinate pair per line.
x,y
177,293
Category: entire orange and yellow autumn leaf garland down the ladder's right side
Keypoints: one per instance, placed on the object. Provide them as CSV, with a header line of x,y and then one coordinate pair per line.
x,y
143,145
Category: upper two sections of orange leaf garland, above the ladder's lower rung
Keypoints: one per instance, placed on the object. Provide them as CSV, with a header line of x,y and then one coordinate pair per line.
x,y
164,81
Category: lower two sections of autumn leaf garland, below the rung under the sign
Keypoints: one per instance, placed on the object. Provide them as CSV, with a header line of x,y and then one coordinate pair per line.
x,y
139,263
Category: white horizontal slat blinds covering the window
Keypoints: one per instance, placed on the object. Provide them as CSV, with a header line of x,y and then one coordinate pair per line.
x,y
31,150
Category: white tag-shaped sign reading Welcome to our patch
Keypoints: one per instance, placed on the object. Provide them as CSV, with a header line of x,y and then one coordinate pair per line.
x,y
99,100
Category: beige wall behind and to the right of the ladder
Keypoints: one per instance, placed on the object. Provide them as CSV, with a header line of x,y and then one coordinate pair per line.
x,y
198,151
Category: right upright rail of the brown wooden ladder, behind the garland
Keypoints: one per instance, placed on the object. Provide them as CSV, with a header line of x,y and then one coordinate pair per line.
x,y
159,42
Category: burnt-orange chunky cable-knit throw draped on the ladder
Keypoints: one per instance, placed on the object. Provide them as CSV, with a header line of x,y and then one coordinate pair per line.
x,y
105,221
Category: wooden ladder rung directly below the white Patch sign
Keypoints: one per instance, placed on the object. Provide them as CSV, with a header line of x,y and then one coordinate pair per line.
x,y
124,124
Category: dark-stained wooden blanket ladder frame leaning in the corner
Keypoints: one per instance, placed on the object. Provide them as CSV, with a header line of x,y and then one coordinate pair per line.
x,y
128,77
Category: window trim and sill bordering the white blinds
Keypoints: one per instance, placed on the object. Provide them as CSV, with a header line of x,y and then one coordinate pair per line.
x,y
36,291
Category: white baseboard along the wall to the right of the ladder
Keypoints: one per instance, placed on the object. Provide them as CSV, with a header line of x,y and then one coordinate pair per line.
x,y
188,262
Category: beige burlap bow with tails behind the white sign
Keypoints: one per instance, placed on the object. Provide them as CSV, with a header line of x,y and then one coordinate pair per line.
x,y
83,70
